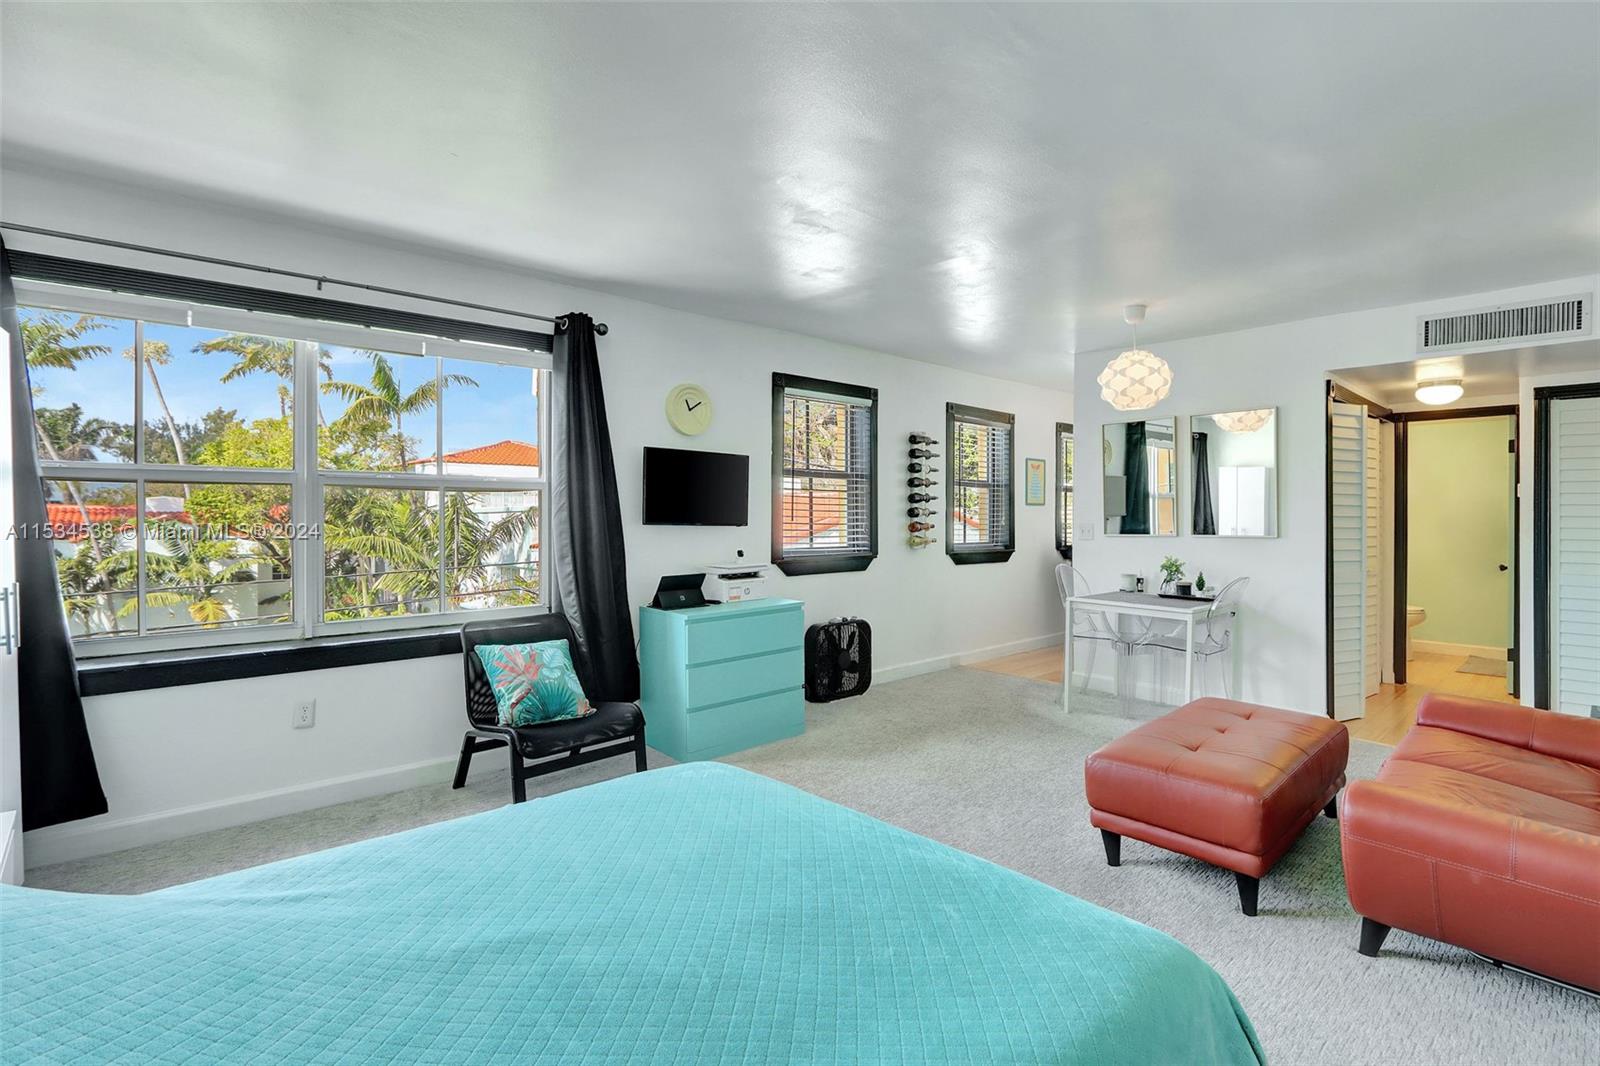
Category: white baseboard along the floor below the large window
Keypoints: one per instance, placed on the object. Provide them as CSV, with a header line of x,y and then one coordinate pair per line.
x,y
82,840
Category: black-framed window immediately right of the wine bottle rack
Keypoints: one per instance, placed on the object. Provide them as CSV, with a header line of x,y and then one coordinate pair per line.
x,y
982,497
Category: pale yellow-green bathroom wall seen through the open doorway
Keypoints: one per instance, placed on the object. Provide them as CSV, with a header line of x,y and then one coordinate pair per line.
x,y
1460,529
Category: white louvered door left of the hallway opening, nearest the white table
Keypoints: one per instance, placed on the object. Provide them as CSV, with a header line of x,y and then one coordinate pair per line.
x,y
1348,519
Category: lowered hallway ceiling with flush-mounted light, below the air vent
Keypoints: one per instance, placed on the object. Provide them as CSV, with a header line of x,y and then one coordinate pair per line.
x,y
1484,375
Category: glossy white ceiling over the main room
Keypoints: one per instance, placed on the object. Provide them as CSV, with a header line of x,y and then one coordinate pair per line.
x,y
974,185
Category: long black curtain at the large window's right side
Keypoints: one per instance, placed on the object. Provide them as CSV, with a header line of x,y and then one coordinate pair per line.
x,y
591,567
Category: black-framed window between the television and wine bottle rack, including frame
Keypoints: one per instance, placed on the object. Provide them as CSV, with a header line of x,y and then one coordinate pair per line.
x,y
825,476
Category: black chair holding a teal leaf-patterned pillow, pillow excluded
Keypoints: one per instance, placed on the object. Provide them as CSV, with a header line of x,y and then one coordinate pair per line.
x,y
615,729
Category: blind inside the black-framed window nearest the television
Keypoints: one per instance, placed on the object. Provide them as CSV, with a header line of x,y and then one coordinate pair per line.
x,y
828,495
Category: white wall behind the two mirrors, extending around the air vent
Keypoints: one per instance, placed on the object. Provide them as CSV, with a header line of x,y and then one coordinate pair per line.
x,y
1286,367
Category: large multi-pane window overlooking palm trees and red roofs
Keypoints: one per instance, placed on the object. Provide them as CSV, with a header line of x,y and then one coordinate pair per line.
x,y
218,478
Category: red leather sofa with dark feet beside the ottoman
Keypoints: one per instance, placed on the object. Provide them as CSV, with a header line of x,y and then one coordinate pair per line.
x,y
1484,832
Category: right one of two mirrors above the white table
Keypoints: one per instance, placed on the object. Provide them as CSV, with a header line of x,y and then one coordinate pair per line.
x,y
1234,457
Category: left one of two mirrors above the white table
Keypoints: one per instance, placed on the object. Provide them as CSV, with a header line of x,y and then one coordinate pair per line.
x,y
1140,465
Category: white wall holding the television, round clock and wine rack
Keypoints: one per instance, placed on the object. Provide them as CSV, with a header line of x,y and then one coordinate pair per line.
x,y
196,758
